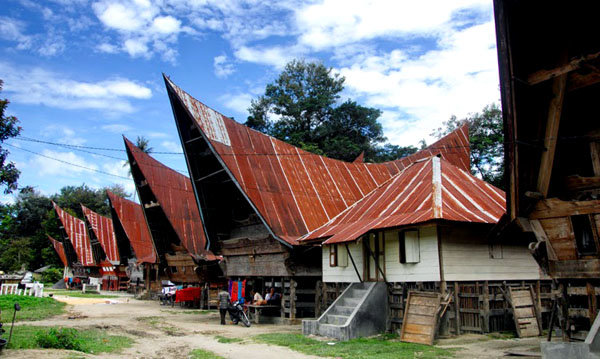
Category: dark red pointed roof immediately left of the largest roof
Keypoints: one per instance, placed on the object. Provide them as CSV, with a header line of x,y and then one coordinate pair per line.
x,y
175,195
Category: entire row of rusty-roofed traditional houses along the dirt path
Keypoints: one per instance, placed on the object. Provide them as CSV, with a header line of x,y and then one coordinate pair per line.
x,y
263,213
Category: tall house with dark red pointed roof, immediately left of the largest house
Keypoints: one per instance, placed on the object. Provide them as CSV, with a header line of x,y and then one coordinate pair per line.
x,y
172,217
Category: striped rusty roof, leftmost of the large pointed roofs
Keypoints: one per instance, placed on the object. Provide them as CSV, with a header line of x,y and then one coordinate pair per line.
x,y
77,232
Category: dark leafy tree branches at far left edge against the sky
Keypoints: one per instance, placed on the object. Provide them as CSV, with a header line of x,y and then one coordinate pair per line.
x,y
9,174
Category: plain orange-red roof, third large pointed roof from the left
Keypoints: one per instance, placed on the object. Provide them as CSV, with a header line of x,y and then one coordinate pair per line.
x,y
131,217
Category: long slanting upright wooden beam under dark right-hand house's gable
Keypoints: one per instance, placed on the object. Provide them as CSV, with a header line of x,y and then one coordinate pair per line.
x,y
554,114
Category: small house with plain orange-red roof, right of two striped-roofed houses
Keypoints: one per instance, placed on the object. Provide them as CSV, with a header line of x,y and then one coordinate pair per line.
x,y
132,236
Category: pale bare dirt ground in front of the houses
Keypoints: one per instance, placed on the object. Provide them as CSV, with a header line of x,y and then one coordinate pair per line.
x,y
165,332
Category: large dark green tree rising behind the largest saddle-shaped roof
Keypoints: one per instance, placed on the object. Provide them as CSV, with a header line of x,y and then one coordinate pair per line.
x,y
303,99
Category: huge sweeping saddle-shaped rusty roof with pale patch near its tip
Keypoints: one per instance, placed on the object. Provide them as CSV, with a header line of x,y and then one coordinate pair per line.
x,y
295,191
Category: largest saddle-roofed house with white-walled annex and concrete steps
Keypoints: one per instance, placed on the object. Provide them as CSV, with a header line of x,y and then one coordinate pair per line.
x,y
265,204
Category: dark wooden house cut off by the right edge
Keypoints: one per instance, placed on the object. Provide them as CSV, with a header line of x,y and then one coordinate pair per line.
x,y
549,56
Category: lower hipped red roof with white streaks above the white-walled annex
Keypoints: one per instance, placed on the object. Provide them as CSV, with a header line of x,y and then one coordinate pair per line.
x,y
428,189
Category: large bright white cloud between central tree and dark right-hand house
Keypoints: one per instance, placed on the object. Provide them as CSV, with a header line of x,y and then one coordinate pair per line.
x,y
459,78
